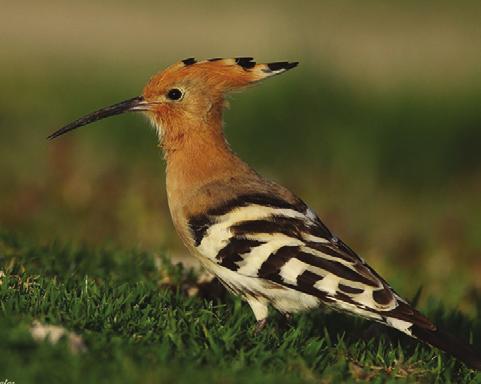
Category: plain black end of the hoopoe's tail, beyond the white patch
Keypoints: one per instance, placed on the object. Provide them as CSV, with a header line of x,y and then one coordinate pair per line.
x,y
450,344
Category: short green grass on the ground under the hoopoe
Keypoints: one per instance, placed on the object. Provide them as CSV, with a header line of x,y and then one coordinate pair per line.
x,y
139,325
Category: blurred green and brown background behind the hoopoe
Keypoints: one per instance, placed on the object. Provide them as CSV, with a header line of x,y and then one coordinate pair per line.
x,y
379,128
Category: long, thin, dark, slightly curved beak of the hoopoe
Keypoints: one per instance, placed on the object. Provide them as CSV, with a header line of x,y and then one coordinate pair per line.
x,y
131,105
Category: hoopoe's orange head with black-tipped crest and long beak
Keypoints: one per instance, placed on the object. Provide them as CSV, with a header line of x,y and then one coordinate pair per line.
x,y
188,94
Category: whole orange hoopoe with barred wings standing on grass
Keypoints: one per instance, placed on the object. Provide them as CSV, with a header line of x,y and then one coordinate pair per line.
x,y
260,240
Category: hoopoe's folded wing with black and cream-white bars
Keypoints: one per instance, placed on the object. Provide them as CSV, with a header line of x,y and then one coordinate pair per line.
x,y
268,238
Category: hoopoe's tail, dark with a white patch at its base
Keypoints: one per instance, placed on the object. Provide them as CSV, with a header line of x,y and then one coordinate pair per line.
x,y
424,330
